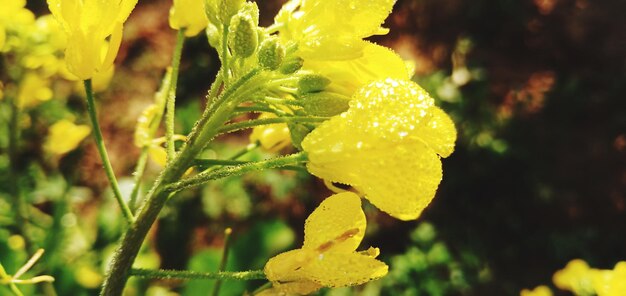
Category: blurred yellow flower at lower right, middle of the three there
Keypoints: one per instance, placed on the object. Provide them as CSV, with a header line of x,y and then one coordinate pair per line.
x,y
575,277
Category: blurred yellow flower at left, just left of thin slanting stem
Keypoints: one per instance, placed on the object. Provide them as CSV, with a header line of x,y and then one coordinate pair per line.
x,y
64,136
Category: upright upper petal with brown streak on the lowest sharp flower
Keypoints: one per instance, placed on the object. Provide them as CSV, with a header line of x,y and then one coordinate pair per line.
x,y
336,225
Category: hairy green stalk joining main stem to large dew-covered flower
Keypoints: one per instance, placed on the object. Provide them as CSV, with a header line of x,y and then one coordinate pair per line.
x,y
224,172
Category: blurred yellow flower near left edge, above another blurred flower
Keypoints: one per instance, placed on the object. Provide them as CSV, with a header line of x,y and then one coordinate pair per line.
x,y
33,90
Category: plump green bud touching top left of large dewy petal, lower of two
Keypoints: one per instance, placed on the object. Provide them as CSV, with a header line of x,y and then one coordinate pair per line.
x,y
324,103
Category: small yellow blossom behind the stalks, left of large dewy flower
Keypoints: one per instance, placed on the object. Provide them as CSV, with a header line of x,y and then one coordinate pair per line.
x,y
272,137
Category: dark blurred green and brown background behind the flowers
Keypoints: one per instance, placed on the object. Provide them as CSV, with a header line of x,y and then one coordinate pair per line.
x,y
535,87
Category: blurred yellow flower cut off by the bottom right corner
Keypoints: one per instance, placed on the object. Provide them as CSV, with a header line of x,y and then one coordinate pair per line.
x,y
610,282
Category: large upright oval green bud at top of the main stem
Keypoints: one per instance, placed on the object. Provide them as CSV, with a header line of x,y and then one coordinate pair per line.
x,y
243,38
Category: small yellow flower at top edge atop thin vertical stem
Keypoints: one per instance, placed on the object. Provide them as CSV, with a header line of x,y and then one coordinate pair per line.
x,y
188,14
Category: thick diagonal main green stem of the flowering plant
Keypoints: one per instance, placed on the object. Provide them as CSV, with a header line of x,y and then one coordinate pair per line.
x,y
216,114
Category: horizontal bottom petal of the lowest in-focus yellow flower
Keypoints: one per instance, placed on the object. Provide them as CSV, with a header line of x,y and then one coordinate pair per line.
x,y
344,269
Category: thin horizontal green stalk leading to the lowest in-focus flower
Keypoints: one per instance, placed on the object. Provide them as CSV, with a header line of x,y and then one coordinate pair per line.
x,y
194,275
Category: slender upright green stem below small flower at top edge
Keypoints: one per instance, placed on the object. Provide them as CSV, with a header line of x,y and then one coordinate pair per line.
x,y
171,100
